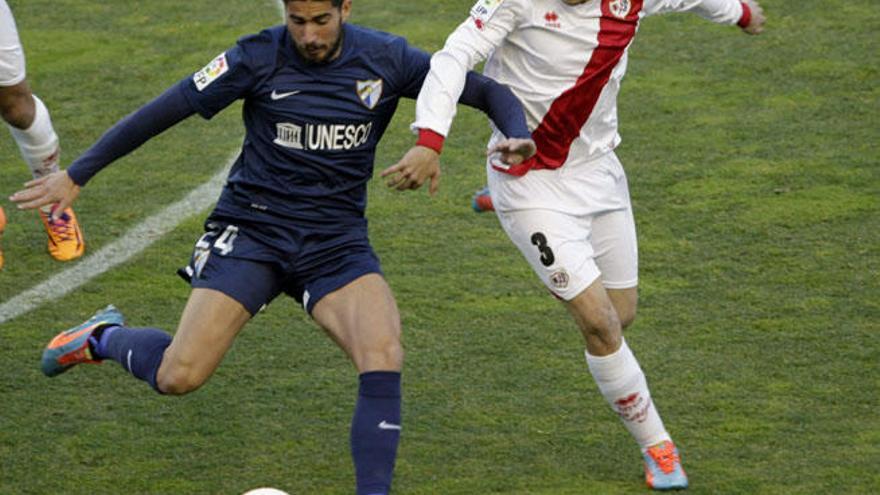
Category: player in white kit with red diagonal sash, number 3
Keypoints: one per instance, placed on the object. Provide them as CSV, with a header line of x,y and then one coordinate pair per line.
x,y
567,208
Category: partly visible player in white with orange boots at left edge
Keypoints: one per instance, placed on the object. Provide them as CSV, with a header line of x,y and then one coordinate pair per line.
x,y
28,120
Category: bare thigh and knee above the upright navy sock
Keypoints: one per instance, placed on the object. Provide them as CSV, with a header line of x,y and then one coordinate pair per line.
x,y
362,318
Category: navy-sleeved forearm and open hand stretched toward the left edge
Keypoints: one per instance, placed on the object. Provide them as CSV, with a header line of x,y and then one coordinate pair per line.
x,y
62,187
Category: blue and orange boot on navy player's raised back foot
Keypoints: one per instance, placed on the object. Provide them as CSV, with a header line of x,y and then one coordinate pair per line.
x,y
71,347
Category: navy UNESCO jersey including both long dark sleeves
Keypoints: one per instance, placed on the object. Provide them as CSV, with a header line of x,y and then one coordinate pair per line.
x,y
311,129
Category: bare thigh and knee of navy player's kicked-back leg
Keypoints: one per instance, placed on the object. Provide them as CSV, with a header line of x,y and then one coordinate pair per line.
x,y
207,329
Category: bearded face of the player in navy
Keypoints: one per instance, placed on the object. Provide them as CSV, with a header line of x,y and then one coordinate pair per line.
x,y
316,28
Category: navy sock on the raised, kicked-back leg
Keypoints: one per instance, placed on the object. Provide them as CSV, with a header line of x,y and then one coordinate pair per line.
x,y
138,350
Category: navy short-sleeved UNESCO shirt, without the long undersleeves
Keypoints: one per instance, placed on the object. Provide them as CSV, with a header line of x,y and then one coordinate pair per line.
x,y
311,129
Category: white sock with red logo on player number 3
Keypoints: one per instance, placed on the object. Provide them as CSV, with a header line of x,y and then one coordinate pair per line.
x,y
622,383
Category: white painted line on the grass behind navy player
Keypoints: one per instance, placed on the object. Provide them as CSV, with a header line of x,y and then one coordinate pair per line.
x,y
131,243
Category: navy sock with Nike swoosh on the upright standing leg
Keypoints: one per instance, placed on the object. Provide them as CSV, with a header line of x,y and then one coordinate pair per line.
x,y
375,431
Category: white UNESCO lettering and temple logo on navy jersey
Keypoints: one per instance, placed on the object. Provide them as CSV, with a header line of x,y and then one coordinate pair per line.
x,y
322,137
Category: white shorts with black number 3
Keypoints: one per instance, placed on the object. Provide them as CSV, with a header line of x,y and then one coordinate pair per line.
x,y
574,224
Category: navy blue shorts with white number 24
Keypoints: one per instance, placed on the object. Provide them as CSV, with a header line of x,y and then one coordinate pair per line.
x,y
254,263
